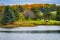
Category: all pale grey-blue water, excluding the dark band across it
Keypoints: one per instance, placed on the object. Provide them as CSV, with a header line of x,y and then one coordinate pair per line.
x,y
30,36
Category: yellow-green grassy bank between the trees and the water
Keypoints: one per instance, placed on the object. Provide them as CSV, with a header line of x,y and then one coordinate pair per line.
x,y
31,23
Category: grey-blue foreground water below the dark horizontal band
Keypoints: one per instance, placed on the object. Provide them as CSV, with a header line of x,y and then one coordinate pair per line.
x,y
29,36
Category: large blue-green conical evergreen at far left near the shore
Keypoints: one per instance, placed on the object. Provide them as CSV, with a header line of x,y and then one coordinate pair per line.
x,y
8,15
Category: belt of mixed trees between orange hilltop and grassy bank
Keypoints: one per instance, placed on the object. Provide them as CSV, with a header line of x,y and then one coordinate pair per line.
x,y
10,14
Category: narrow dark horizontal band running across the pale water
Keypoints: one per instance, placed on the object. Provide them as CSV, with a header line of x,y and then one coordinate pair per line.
x,y
35,31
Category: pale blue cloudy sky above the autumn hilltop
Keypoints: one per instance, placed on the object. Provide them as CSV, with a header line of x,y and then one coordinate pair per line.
x,y
29,1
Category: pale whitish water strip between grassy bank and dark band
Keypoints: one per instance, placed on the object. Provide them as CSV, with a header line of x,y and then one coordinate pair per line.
x,y
39,28
